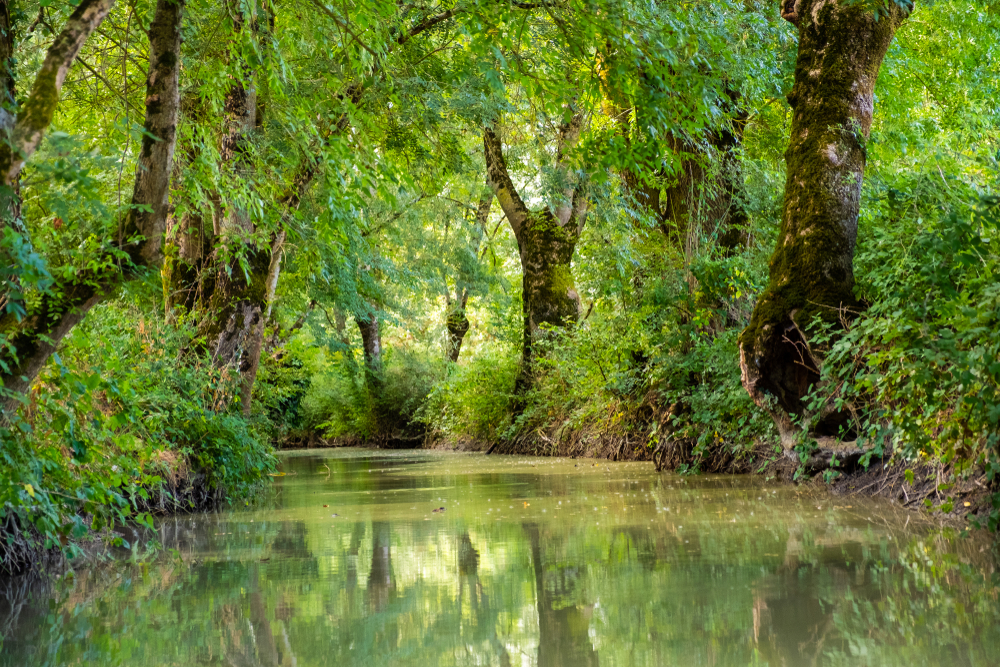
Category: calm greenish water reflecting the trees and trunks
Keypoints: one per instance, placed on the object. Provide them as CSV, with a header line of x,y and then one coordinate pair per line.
x,y
547,562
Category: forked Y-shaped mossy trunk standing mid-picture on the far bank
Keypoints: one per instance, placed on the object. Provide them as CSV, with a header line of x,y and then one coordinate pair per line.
x,y
546,241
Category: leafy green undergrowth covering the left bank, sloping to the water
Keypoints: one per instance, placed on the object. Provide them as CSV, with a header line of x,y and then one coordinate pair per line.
x,y
123,415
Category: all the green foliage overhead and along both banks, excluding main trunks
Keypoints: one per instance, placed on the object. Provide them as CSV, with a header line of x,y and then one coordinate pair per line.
x,y
383,106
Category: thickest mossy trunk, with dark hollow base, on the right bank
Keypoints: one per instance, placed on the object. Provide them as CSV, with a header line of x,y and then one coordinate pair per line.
x,y
841,47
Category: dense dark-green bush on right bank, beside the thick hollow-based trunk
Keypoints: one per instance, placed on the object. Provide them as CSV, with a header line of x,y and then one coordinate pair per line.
x,y
920,369
